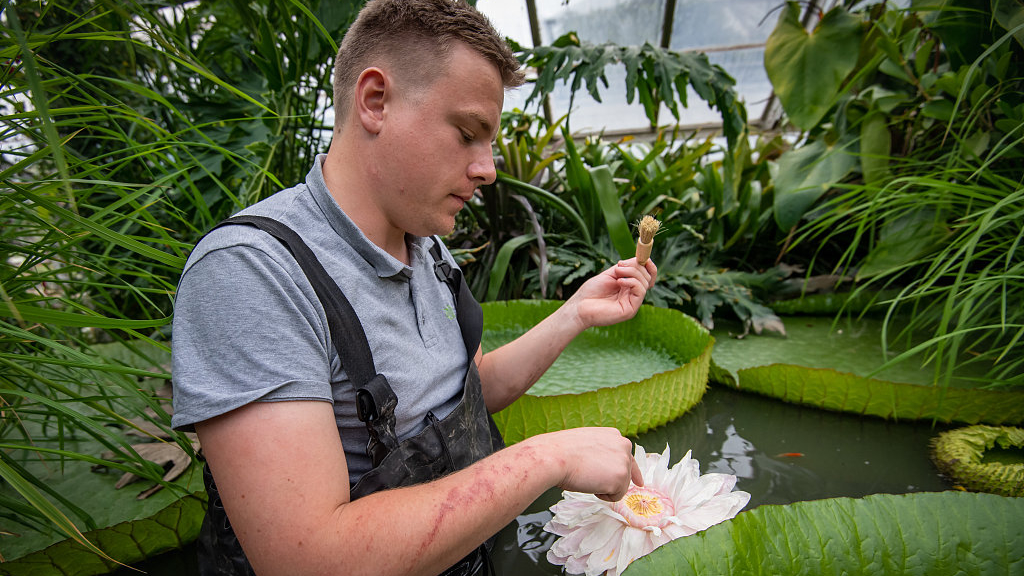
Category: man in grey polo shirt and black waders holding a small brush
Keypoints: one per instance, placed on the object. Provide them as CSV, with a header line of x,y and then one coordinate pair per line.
x,y
418,98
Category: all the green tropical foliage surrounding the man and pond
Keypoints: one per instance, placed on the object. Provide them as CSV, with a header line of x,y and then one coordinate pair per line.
x,y
131,129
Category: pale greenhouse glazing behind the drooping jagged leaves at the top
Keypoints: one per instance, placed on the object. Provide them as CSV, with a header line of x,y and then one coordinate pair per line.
x,y
699,24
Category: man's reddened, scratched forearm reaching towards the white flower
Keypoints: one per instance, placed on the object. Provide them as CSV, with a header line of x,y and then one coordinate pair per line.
x,y
416,530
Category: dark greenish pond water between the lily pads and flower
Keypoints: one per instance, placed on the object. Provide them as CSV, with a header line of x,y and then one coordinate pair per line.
x,y
755,438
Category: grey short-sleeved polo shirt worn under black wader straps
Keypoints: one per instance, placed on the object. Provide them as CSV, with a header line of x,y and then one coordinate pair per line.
x,y
248,326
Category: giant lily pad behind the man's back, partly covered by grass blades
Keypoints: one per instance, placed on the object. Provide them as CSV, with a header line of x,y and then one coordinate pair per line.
x,y
129,522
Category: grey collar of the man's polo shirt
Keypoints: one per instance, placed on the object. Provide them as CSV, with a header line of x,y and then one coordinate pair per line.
x,y
383,264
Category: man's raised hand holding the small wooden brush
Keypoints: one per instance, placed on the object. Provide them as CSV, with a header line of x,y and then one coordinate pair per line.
x,y
614,296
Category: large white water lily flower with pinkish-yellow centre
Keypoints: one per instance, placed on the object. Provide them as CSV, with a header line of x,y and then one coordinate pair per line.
x,y
600,538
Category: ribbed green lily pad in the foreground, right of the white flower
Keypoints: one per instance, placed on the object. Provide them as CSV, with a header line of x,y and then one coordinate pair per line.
x,y
885,534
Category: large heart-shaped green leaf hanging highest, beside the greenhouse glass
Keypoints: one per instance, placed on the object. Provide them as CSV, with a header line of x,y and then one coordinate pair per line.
x,y
807,70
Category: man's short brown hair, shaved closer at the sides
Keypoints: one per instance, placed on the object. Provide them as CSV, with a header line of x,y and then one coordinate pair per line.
x,y
415,37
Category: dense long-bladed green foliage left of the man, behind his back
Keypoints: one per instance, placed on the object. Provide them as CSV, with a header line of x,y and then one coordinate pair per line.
x,y
129,131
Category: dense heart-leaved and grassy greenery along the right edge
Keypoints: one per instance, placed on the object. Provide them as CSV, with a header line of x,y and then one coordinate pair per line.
x,y
910,164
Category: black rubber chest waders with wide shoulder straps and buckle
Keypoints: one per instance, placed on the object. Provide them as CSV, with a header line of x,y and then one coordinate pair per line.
x,y
447,445
